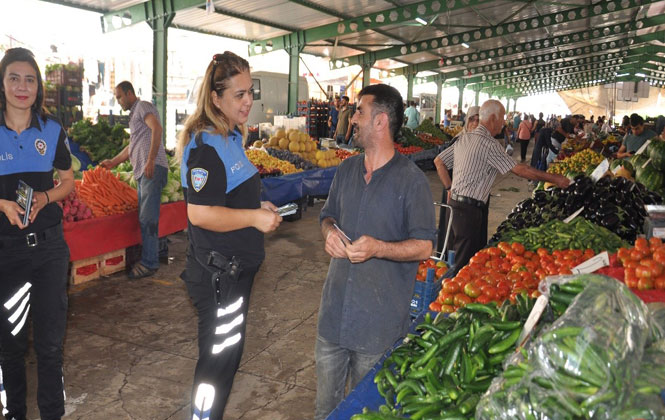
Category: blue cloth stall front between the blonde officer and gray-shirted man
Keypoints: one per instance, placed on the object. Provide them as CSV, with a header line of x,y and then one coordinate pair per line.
x,y
283,189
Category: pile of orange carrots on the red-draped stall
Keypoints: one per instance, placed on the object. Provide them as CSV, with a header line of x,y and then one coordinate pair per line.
x,y
105,194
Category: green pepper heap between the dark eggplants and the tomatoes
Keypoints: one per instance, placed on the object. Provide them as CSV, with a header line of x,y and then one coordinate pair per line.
x,y
555,234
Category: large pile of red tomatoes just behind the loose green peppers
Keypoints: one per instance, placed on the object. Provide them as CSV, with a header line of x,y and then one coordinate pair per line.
x,y
502,272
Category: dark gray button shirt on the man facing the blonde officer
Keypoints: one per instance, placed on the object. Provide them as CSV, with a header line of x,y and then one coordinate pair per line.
x,y
365,306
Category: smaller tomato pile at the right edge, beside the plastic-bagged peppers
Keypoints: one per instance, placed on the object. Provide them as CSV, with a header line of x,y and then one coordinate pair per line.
x,y
644,264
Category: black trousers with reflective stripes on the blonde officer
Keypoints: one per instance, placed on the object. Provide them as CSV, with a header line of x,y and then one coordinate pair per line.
x,y
221,337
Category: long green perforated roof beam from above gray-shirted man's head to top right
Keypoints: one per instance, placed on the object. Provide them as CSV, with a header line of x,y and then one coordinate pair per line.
x,y
601,8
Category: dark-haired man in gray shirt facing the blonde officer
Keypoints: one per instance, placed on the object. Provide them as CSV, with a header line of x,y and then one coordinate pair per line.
x,y
383,202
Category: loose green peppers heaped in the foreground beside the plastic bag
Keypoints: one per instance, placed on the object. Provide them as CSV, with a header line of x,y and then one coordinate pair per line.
x,y
444,371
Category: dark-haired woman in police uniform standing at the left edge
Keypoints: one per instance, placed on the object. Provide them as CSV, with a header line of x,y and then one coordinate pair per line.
x,y
33,256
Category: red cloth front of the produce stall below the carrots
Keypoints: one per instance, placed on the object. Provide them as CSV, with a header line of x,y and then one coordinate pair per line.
x,y
89,238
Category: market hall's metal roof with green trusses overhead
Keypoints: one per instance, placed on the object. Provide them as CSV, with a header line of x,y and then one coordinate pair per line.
x,y
507,48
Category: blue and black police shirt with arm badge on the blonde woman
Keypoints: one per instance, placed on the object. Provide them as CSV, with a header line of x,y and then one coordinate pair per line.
x,y
217,172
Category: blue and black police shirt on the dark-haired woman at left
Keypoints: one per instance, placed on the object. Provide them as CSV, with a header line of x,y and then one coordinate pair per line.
x,y
31,157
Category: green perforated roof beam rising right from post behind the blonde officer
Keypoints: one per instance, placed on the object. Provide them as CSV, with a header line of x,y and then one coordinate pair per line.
x,y
362,23
